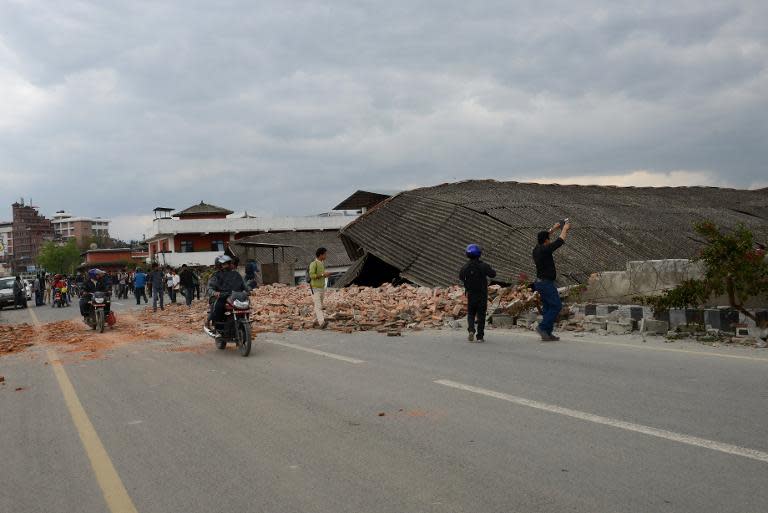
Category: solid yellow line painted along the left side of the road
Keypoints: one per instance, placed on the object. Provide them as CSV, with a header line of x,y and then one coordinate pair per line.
x,y
109,481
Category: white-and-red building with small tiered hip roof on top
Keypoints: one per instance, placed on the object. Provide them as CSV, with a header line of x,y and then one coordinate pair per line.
x,y
198,234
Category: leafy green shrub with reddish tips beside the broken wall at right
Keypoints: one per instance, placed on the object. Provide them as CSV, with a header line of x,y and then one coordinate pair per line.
x,y
734,266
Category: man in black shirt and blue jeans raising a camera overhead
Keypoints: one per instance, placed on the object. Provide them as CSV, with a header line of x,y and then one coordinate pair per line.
x,y
545,278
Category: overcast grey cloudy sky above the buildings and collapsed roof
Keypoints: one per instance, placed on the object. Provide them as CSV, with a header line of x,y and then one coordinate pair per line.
x,y
112,108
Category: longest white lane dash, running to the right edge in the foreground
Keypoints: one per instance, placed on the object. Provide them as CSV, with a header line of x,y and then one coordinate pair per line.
x,y
606,421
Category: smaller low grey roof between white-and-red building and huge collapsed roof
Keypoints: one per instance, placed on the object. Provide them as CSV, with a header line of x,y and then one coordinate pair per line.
x,y
298,247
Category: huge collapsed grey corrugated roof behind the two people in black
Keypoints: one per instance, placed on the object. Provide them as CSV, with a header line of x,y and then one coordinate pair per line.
x,y
423,232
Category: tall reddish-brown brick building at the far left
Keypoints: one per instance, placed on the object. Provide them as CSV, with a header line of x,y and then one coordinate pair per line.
x,y
30,231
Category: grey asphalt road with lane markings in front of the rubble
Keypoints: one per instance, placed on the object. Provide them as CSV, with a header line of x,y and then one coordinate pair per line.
x,y
512,425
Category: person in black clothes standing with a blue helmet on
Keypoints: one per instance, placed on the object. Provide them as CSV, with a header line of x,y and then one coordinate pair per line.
x,y
474,275
